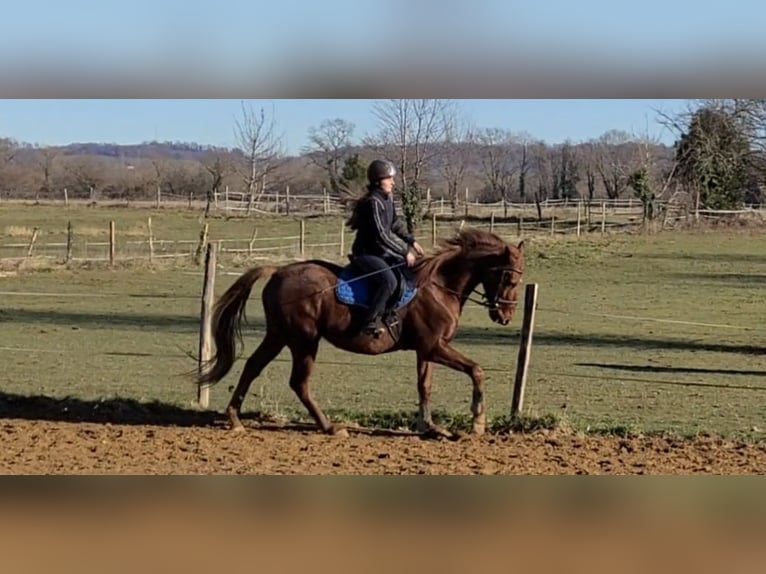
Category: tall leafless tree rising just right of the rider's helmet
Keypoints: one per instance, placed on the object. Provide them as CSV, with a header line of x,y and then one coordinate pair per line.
x,y
409,128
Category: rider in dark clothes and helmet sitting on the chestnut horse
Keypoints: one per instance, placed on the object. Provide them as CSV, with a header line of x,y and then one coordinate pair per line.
x,y
382,240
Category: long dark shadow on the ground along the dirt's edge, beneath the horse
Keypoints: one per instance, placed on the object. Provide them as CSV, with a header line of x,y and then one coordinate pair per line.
x,y
130,412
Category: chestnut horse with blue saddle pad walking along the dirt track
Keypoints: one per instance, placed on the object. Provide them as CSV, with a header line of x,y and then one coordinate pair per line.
x,y
307,301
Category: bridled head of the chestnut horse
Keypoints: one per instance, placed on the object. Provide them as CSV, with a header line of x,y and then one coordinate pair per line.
x,y
501,276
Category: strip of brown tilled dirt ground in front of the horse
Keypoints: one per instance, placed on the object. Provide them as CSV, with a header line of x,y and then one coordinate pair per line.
x,y
65,447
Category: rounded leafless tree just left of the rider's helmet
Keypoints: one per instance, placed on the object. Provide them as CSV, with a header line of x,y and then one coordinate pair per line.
x,y
329,149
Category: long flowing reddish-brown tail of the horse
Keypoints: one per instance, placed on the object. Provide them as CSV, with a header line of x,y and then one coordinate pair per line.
x,y
228,314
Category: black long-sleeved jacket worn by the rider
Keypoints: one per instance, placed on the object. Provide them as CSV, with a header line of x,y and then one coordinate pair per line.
x,y
380,231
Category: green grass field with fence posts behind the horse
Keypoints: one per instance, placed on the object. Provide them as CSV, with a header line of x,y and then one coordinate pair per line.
x,y
598,362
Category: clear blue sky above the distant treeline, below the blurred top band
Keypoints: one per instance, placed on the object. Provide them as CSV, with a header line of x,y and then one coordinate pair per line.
x,y
211,122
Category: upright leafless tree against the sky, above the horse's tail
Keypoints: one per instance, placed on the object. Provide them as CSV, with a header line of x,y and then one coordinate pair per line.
x,y
262,148
